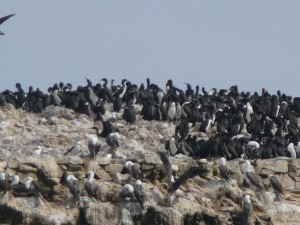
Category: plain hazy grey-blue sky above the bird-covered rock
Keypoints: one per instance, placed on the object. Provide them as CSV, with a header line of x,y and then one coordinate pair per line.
x,y
253,44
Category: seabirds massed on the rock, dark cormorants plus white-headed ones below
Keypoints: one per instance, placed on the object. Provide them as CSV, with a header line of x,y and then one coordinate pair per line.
x,y
240,125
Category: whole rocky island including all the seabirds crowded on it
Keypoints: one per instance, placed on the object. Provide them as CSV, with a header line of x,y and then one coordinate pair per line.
x,y
125,153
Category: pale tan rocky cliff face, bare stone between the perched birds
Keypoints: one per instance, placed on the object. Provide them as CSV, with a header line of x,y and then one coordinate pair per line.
x,y
205,199
